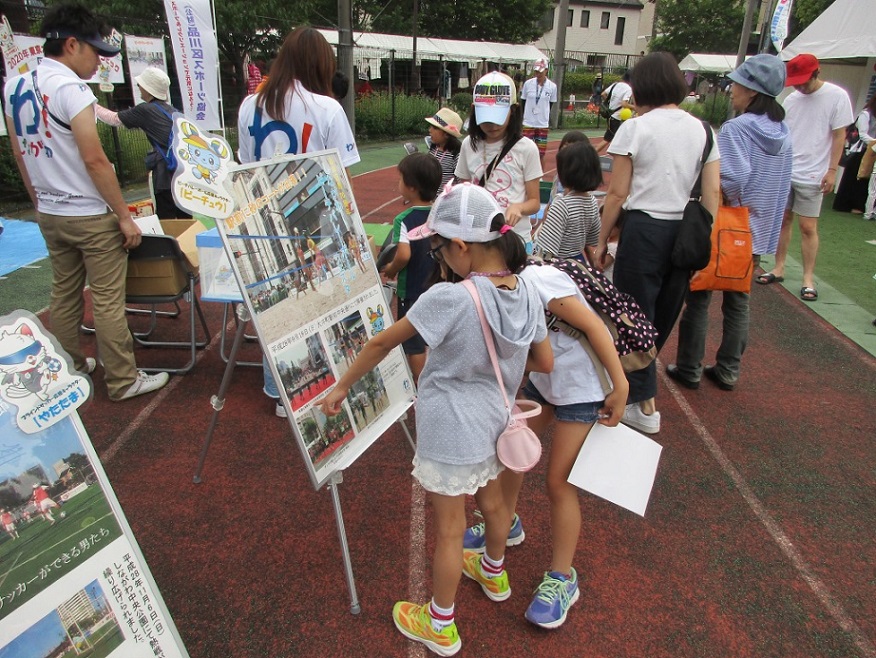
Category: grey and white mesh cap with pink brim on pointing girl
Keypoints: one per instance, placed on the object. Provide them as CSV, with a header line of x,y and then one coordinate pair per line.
x,y
463,211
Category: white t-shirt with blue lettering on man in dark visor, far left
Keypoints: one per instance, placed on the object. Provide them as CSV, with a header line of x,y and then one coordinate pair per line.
x,y
53,162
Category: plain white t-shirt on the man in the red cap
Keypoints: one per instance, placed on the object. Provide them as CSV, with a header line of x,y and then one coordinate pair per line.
x,y
811,119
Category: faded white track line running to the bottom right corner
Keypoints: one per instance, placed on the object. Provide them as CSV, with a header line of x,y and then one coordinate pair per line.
x,y
822,593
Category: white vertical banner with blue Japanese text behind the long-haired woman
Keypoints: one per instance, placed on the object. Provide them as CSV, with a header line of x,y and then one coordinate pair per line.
x,y
197,59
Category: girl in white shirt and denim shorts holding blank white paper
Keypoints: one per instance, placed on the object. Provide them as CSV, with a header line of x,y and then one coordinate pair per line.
x,y
573,399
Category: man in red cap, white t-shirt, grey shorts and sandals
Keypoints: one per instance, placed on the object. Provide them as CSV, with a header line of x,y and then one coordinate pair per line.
x,y
817,114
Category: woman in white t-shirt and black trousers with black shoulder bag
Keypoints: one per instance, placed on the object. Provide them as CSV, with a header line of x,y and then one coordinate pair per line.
x,y
657,159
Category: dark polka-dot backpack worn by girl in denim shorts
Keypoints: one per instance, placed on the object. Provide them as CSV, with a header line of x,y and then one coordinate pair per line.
x,y
633,334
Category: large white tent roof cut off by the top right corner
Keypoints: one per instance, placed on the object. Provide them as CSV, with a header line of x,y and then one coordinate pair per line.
x,y
843,30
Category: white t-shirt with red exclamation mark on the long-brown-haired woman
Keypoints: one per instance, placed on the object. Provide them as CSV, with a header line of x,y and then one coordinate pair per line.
x,y
312,123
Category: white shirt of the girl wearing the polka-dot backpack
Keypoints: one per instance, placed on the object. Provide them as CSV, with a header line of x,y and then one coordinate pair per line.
x,y
573,379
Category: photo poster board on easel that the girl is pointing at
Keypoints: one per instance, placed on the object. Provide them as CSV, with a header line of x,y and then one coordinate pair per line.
x,y
301,255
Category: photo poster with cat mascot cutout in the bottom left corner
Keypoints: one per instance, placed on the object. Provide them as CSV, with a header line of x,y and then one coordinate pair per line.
x,y
73,580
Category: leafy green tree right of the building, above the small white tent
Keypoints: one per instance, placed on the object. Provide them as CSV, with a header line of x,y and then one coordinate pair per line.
x,y
698,26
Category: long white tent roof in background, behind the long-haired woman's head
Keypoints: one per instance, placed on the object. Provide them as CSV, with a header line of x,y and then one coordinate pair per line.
x,y
376,45
